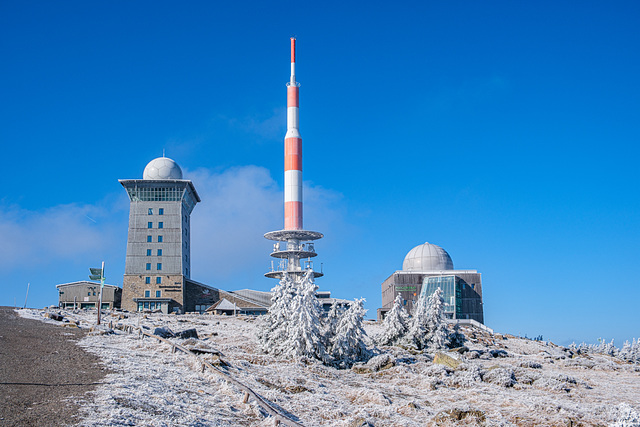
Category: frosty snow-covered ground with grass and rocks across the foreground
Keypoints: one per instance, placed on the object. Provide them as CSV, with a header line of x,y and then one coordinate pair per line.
x,y
502,380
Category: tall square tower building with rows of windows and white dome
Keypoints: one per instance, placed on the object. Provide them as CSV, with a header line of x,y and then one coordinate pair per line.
x,y
157,266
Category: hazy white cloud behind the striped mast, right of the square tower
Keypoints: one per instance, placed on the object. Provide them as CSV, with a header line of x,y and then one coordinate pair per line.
x,y
238,206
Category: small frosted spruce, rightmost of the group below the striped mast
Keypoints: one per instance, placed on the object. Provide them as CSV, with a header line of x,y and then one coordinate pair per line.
x,y
348,344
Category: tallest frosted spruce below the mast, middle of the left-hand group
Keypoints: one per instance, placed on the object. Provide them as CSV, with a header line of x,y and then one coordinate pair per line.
x,y
305,335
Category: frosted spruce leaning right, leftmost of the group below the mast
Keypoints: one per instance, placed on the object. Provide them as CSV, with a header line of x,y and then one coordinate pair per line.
x,y
273,332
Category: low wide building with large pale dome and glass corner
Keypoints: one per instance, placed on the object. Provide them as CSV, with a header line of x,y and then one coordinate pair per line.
x,y
426,268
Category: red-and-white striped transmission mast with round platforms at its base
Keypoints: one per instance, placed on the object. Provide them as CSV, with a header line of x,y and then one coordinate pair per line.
x,y
293,243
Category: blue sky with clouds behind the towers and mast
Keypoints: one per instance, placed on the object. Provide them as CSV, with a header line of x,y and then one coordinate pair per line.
x,y
505,132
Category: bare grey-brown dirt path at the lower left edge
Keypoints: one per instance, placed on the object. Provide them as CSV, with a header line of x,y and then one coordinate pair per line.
x,y
43,373
